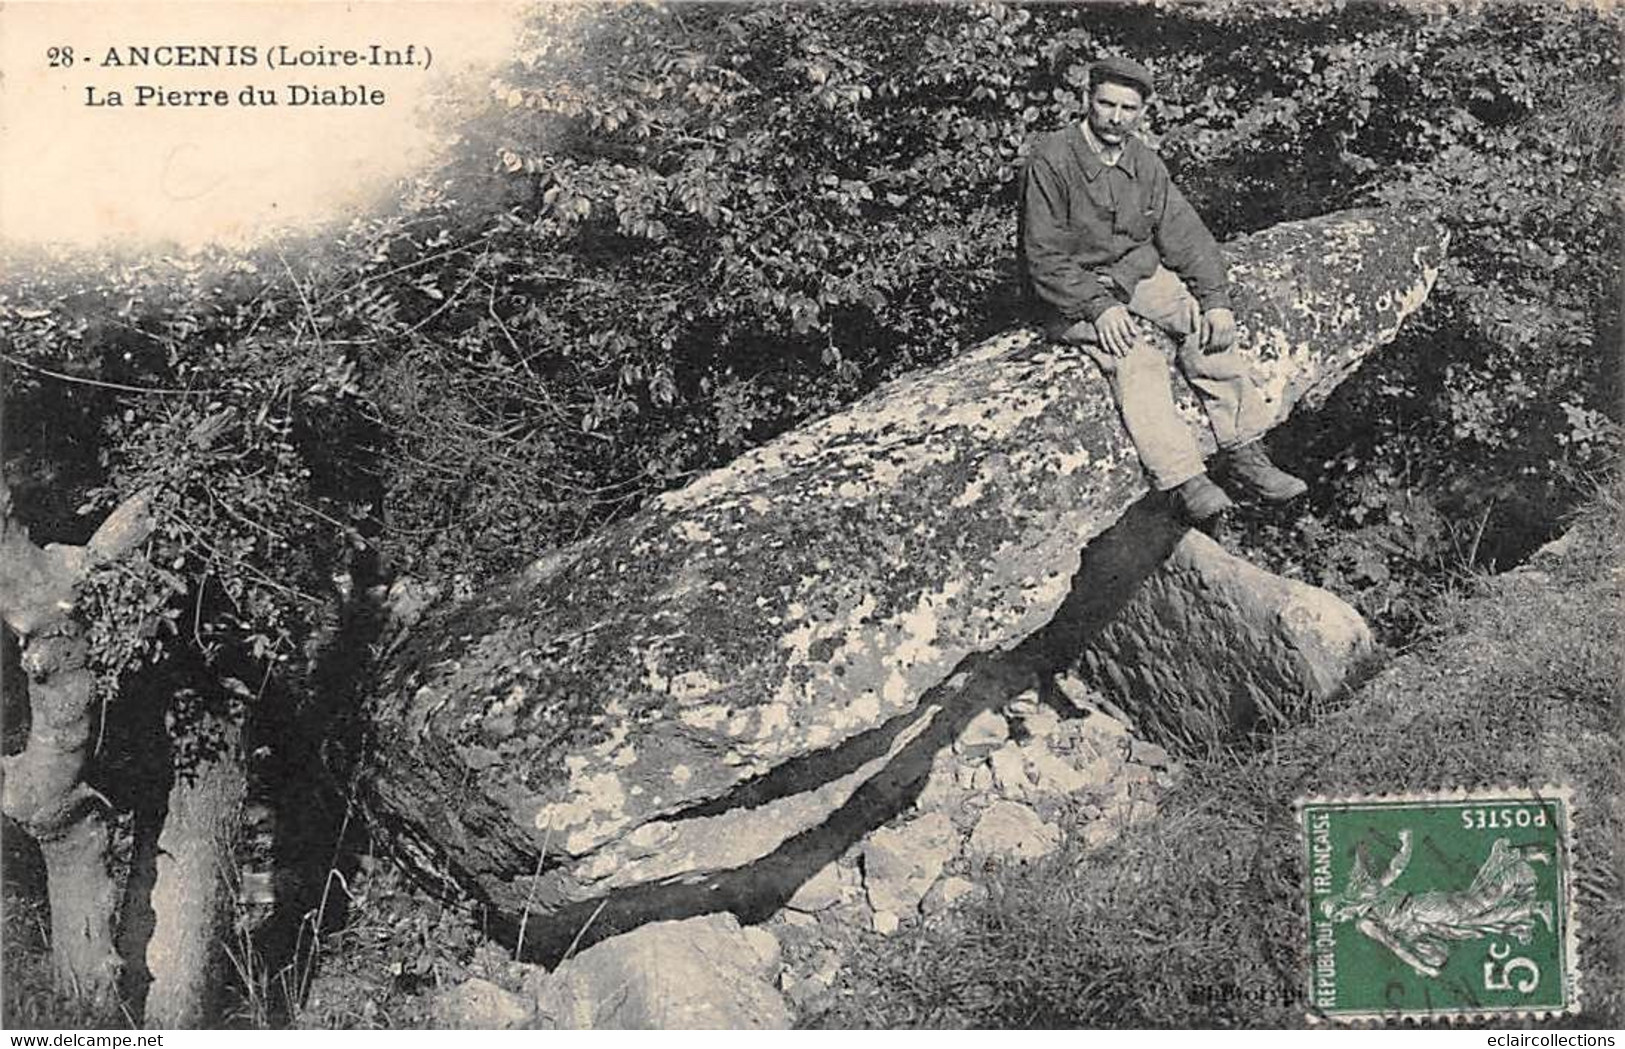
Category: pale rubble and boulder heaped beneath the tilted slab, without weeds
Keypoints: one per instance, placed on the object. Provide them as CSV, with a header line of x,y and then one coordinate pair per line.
x,y
1002,795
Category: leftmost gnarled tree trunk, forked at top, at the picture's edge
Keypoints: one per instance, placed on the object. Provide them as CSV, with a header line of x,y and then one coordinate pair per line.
x,y
45,787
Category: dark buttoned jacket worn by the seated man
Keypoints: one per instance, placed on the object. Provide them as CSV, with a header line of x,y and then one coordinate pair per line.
x,y
1083,218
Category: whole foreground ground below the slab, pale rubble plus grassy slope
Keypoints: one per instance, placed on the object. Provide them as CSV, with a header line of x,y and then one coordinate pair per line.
x,y
1052,858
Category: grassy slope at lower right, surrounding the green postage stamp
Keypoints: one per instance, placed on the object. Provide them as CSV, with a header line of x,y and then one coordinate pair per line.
x,y
1197,918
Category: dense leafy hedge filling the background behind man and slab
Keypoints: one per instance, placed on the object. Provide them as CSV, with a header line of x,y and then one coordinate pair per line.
x,y
670,233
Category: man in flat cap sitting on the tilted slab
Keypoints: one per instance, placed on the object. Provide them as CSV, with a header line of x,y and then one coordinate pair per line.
x,y
1107,236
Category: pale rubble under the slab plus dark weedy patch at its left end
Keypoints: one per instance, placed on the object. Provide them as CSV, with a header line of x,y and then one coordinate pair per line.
x,y
1012,788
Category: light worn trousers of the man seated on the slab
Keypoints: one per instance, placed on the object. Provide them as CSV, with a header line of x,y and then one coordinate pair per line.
x,y
1140,384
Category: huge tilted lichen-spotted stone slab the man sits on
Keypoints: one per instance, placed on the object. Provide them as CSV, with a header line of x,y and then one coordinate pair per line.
x,y
704,683
